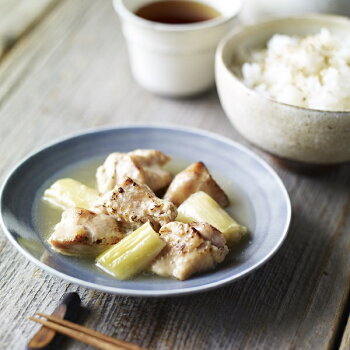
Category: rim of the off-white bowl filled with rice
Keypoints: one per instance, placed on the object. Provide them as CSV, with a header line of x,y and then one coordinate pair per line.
x,y
258,26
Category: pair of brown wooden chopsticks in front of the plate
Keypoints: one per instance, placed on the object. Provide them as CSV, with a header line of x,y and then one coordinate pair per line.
x,y
84,334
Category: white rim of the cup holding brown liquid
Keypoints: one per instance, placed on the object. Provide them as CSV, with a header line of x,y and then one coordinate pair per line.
x,y
125,13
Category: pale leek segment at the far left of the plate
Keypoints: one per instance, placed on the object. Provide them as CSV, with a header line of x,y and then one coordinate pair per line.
x,y
69,193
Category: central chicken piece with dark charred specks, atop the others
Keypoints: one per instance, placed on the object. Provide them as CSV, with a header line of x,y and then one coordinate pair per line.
x,y
133,204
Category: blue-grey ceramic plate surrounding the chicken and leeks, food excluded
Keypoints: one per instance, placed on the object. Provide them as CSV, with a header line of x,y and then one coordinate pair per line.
x,y
259,201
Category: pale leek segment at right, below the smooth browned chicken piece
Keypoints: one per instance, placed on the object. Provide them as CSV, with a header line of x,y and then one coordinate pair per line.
x,y
200,207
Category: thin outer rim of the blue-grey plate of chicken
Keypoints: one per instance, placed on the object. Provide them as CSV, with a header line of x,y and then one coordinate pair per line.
x,y
158,292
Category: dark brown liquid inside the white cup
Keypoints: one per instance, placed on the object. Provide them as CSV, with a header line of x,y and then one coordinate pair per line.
x,y
177,12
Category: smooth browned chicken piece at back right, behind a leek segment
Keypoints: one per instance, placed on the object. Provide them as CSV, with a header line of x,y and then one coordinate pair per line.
x,y
195,178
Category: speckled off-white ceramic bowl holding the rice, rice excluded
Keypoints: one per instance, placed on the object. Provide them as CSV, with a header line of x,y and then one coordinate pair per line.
x,y
290,132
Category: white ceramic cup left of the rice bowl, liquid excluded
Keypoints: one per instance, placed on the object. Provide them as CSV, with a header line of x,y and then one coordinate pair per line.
x,y
174,60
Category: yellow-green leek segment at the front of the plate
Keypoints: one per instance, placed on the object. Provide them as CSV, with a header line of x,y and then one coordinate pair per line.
x,y
133,254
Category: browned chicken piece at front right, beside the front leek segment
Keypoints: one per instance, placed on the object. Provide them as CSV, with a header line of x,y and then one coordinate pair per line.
x,y
191,248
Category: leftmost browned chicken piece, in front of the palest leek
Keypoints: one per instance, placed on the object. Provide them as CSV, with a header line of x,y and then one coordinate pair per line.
x,y
85,233
